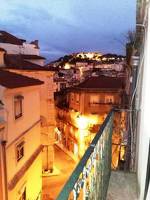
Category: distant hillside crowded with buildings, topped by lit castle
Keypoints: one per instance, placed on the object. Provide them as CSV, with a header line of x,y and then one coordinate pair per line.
x,y
73,69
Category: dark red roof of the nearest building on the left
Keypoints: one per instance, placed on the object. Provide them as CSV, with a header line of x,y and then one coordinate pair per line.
x,y
12,80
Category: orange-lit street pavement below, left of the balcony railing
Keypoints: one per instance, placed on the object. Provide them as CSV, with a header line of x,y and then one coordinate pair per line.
x,y
52,185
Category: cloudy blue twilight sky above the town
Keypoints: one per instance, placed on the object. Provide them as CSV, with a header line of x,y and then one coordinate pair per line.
x,y
66,26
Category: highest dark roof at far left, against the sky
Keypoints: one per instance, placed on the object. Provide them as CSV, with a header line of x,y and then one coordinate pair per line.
x,y
6,37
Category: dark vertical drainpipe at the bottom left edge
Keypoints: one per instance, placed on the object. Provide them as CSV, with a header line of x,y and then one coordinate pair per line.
x,y
3,145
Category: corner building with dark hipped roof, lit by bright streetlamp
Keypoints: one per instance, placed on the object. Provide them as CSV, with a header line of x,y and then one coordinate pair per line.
x,y
85,108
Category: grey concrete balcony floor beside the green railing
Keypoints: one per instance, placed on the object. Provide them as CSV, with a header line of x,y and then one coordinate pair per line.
x,y
122,186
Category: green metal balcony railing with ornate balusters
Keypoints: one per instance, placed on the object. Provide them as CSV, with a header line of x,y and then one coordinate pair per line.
x,y
90,179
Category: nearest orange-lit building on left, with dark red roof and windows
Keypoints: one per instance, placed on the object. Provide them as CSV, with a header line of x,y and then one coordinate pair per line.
x,y
21,158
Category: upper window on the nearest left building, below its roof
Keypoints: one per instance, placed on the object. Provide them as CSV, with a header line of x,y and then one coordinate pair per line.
x,y
18,106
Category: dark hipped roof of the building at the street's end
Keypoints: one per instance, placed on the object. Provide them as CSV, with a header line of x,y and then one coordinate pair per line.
x,y
102,82
